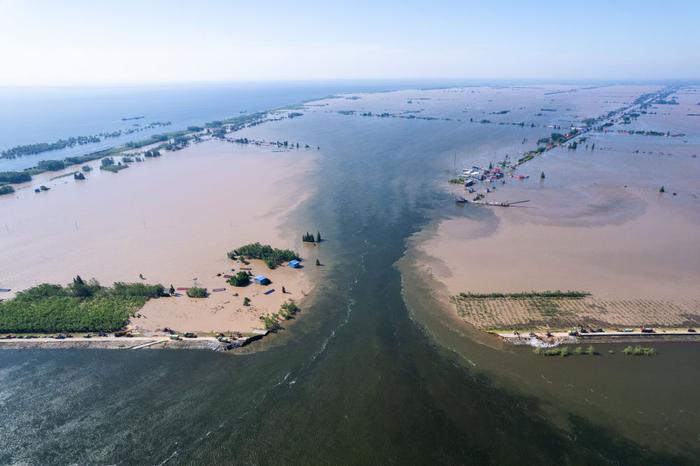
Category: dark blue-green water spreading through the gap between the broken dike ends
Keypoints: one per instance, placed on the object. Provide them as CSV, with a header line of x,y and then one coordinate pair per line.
x,y
355,380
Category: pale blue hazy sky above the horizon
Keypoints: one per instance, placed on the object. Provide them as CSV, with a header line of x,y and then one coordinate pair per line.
x,y
112,42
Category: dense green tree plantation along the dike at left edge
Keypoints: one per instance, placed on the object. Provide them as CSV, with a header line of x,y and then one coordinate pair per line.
x,y
79,307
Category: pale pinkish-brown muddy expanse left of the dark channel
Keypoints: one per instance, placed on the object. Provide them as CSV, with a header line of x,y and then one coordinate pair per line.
x,y
171,219
